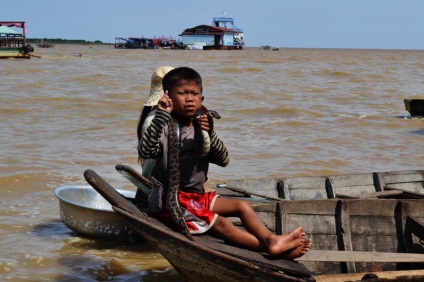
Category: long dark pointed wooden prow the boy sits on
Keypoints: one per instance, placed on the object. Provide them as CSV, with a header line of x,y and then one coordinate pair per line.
x,y
205,259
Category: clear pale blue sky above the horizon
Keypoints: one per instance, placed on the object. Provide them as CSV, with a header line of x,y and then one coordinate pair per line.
x,y
369,24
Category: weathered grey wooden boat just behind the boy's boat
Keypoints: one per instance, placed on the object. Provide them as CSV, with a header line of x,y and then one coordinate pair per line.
x,y
407,184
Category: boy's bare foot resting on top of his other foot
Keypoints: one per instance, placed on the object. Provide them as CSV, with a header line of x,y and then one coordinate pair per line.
x,y
278,244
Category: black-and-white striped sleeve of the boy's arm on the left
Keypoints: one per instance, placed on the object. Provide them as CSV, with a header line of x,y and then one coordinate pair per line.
x,y
149,144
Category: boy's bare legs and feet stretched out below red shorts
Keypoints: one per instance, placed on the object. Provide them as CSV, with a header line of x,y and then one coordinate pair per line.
x,y
258,235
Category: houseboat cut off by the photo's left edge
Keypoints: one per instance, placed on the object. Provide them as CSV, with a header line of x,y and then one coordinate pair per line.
x,y
13,43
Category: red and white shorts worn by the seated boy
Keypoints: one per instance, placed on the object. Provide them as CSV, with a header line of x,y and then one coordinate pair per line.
x,y
197,209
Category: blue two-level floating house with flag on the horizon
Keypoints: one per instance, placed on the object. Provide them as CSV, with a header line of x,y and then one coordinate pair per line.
x,y
221,35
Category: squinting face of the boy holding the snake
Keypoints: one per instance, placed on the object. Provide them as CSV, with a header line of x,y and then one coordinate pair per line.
x,y
187,98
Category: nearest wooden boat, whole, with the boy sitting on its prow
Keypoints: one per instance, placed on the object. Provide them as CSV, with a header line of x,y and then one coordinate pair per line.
x,y
382,236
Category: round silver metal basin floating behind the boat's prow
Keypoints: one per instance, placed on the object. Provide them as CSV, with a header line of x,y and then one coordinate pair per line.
x,y
86,212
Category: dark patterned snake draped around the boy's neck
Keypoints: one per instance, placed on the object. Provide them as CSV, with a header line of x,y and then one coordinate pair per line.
x,y
174,174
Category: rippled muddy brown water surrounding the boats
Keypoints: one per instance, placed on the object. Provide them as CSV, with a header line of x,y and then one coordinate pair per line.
x,y
285,113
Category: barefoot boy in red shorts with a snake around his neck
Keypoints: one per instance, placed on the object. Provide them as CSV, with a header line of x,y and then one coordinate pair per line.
x,y
204,211
